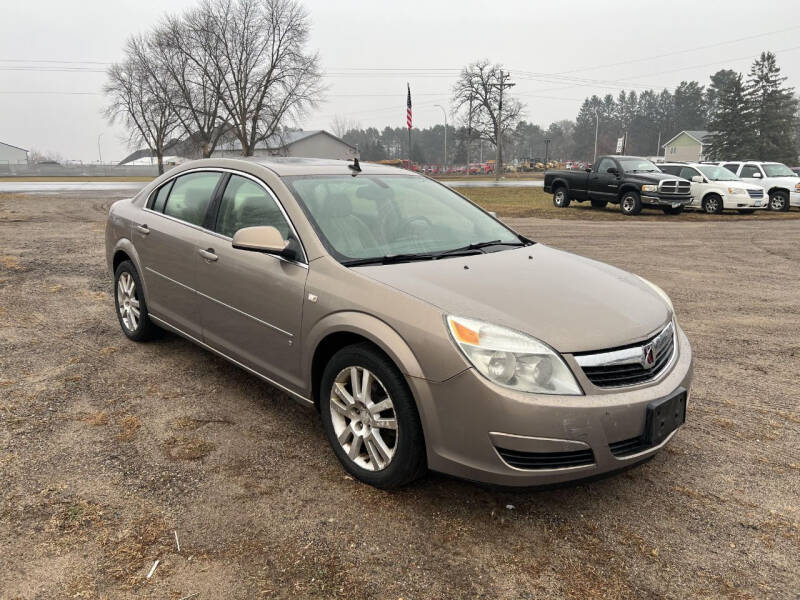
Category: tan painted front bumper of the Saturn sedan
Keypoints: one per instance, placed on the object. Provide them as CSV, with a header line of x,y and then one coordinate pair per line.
x,y
466,418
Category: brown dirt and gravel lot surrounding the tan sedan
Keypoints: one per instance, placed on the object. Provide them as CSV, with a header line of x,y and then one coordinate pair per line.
x,y
110,449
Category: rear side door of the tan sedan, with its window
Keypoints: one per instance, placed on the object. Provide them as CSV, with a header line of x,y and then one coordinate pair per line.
x,y
166,241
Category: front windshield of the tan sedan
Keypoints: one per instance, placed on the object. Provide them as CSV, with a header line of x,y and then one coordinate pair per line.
x,y
385,217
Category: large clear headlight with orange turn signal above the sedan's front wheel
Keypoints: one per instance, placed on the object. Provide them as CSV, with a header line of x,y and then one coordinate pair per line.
x,y
511,358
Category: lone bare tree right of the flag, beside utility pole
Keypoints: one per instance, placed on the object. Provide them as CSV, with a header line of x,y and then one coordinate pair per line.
x,y
477,100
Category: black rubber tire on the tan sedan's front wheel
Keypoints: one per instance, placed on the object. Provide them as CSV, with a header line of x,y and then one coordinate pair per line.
x,y
409,460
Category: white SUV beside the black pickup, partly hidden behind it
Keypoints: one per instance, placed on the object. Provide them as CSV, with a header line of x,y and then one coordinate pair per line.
x,y
715,188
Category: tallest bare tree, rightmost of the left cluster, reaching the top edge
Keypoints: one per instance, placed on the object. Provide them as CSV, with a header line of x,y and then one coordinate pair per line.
x,y
267,77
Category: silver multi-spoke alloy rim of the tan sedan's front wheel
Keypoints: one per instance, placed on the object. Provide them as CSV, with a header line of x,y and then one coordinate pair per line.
x,y
364,419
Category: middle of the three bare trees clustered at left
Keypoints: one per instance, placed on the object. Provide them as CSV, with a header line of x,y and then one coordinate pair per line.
x,y
183,51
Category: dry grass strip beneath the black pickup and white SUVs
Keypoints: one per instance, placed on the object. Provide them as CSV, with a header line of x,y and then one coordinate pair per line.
x,y
534,202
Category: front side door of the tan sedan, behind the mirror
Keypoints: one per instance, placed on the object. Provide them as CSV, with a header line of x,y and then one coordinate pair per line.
x,y
251,303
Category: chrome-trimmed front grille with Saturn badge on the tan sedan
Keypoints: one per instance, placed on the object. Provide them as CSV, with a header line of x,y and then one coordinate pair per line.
x,y
630,365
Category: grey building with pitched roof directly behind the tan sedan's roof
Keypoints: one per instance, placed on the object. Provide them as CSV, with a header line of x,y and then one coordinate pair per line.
x,y
308,144
